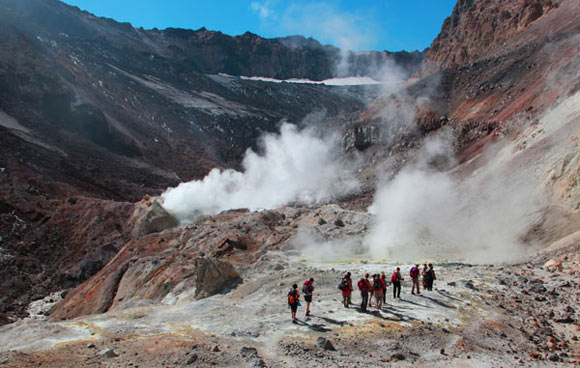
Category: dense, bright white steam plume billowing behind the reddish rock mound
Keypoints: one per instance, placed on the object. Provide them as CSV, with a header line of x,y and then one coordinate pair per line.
x,y
295,166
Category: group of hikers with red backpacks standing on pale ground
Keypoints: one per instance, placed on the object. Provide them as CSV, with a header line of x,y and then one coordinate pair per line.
x,y
370,287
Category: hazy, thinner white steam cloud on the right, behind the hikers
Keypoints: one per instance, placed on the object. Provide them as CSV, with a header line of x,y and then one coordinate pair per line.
x,y
424,213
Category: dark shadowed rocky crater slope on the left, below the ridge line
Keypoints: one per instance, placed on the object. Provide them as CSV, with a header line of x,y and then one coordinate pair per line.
x,y
93,111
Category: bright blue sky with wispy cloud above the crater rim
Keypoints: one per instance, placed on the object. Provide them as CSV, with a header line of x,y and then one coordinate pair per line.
x,y
352,24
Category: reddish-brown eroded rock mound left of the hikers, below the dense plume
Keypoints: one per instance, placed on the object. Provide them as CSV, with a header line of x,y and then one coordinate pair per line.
x,y
188,261
